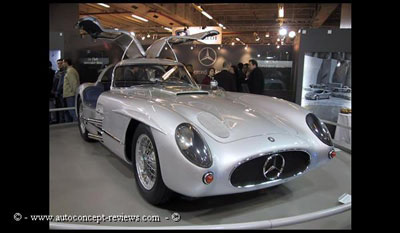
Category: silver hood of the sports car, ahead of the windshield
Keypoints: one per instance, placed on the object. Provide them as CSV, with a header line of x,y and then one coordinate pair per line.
x,y
222,116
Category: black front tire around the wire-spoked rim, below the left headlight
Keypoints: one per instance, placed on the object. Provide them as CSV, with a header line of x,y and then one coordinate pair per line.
x,y
159,193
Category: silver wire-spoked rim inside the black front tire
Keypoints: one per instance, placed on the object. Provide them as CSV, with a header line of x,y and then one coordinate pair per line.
x,y
146,162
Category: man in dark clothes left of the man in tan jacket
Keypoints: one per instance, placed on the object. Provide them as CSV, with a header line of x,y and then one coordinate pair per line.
x,y
58,90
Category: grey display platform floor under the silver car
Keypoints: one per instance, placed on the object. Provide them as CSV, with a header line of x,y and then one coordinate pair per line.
x,y
88,179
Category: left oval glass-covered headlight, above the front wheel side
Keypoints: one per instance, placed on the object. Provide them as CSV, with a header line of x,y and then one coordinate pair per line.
x,y
193,146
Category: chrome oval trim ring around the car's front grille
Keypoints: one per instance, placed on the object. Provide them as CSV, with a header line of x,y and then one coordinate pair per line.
x,y
264,154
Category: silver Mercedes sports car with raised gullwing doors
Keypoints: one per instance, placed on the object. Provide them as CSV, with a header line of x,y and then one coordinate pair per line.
x,y
182,138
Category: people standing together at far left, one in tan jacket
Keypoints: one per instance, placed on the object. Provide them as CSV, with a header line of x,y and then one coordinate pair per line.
x,y
63,84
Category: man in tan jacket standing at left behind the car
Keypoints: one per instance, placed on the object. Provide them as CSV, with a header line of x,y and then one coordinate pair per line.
x,y
71,83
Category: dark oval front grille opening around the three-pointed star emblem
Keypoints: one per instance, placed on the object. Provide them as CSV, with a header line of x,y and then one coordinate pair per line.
x,y
251,172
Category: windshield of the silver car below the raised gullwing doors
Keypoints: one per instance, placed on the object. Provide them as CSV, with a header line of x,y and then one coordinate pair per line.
x,y
152,74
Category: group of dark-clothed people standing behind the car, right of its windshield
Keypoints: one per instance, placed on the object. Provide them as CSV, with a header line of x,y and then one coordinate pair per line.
x,y
241,78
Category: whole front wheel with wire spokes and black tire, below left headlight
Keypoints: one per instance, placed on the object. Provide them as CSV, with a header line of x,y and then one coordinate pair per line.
x,y
146,167
